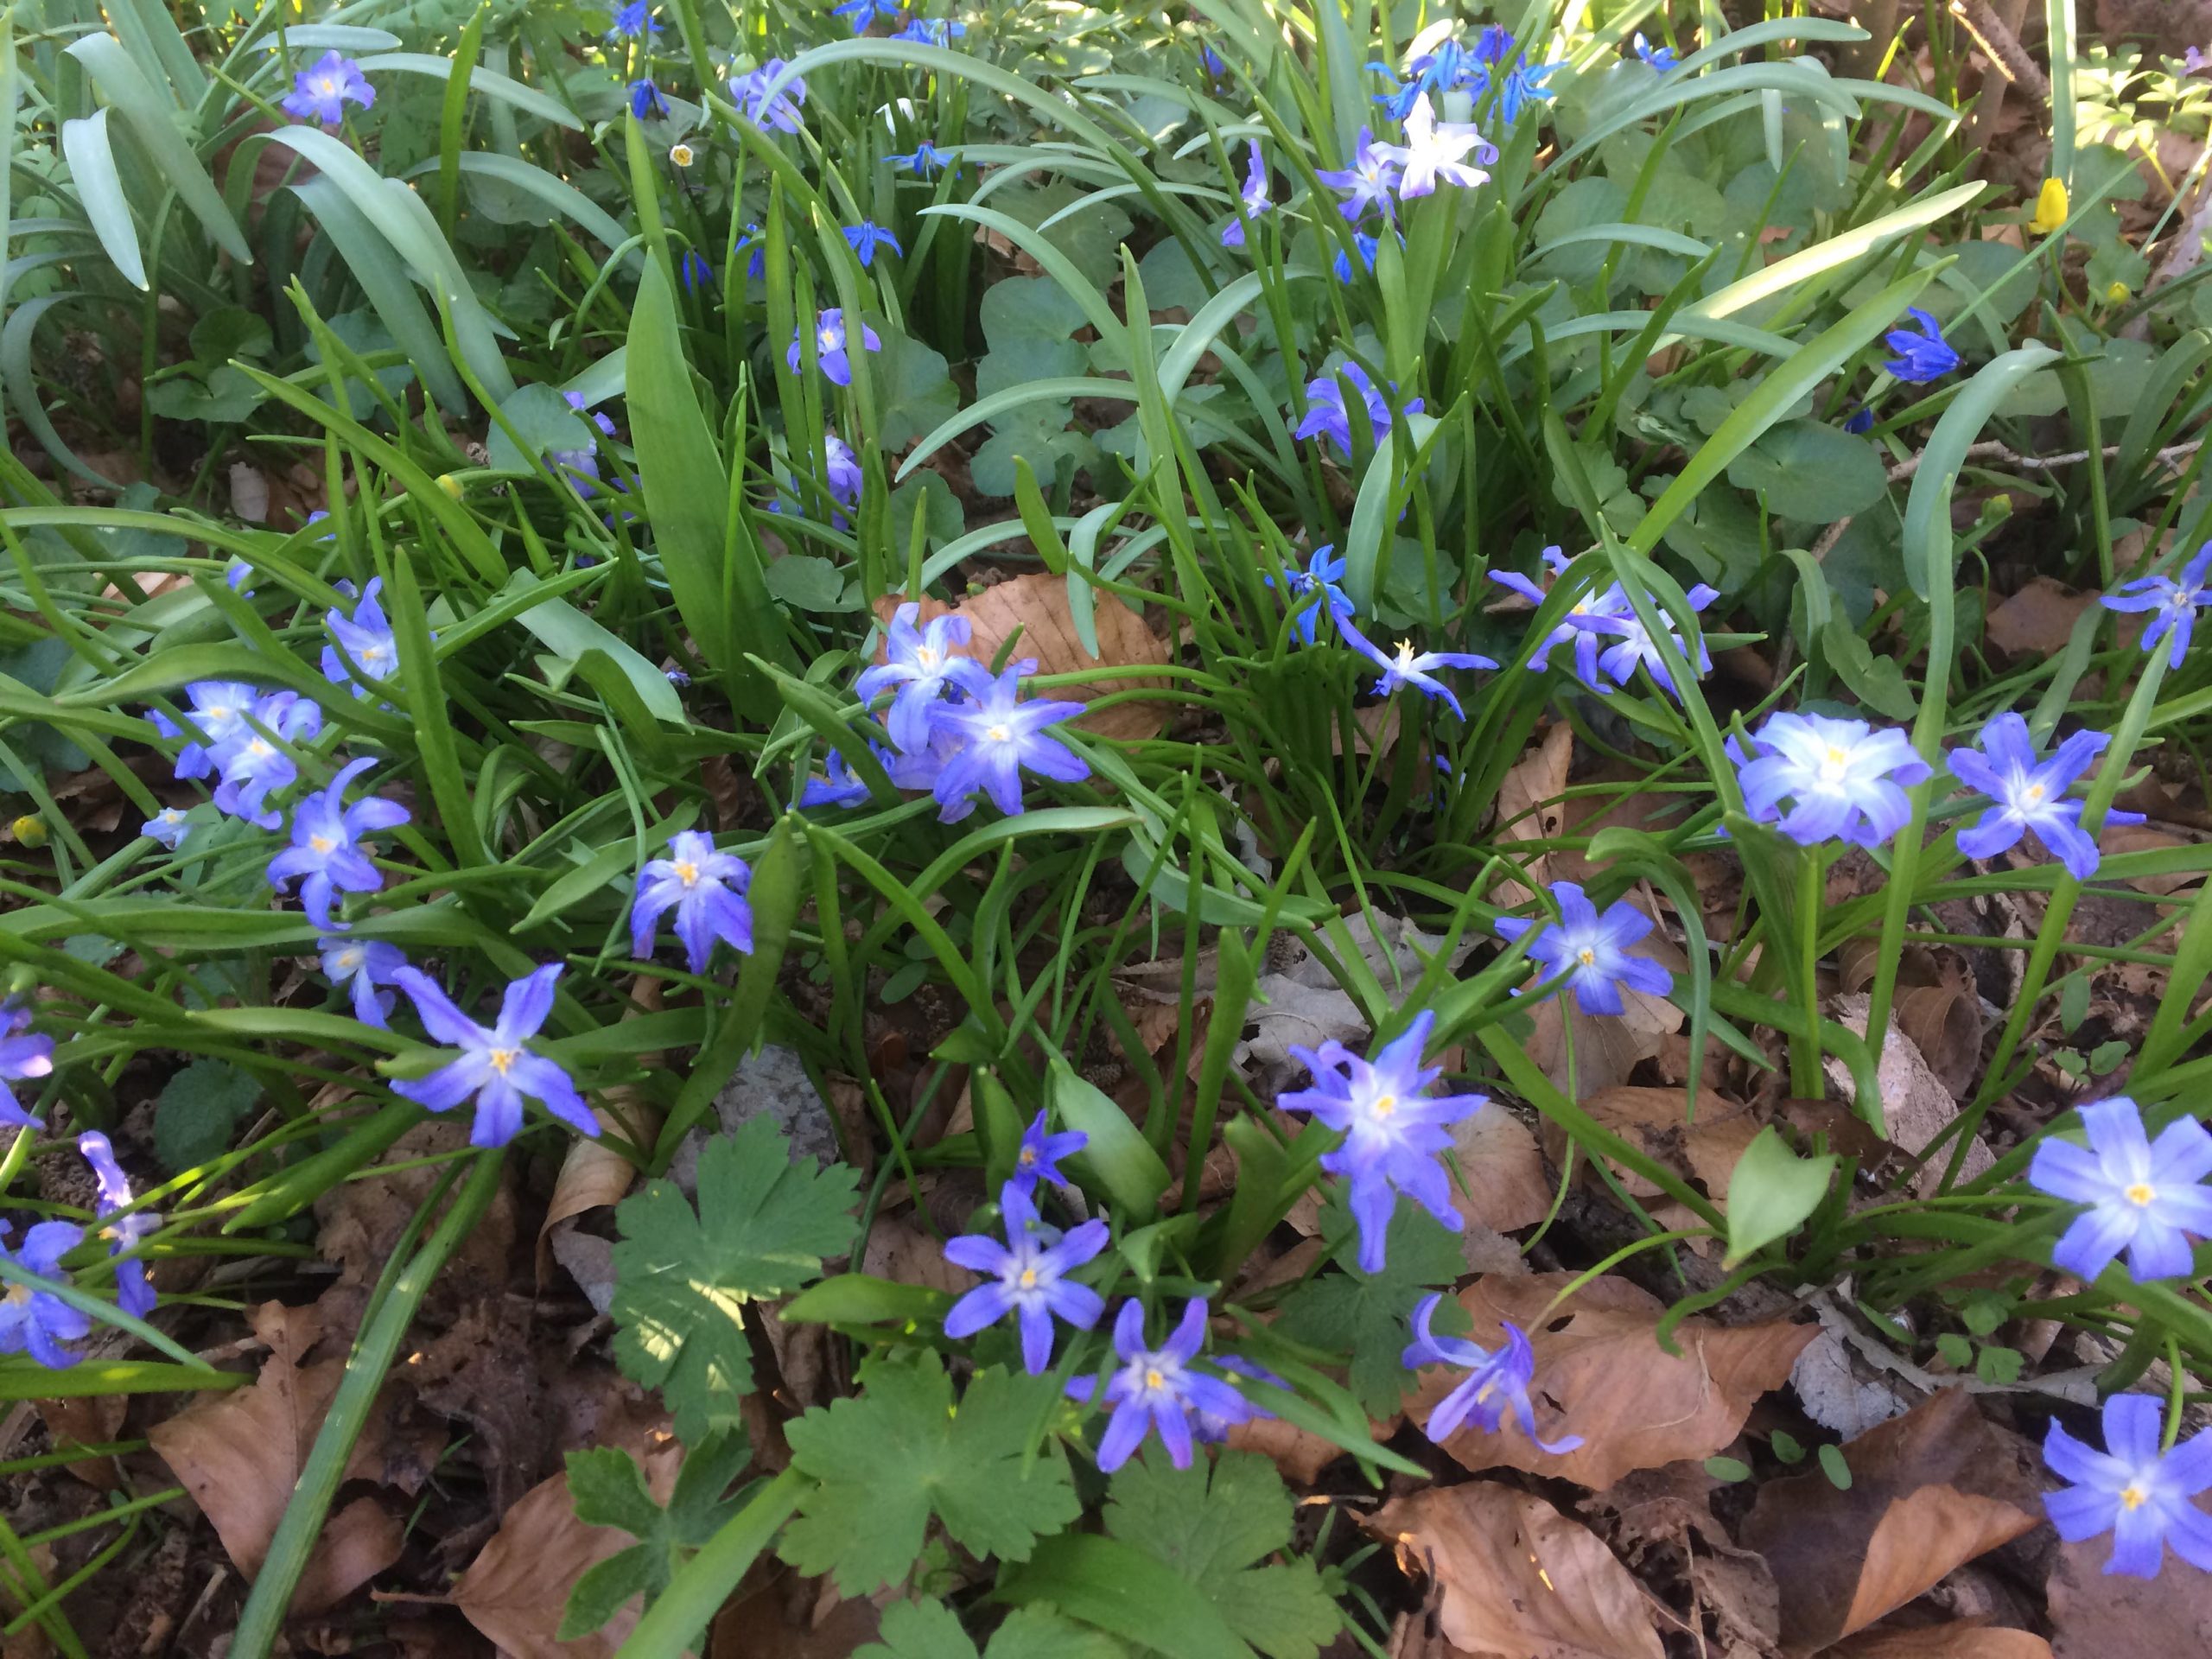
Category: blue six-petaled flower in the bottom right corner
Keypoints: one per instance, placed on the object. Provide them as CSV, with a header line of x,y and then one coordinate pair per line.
x,y
2133,1490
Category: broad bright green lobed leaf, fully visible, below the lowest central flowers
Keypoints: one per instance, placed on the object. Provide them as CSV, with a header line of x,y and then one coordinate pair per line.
x,y
899,1454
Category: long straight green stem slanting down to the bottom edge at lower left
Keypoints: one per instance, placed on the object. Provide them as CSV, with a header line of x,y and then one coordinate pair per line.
x,y
351,1410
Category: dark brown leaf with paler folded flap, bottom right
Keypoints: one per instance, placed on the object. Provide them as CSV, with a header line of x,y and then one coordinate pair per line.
x,y
1930,1490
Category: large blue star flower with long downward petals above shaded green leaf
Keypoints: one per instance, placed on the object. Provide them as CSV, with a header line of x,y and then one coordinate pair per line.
x,y
1392,1129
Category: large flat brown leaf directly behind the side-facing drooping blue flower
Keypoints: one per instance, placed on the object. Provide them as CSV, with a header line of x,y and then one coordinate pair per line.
x,y
1603,1375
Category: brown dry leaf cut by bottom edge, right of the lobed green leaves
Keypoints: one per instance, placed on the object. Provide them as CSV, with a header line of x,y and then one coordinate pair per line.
x,y
1519,1578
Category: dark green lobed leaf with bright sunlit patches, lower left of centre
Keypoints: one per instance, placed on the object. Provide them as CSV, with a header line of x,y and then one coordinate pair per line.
x,y
682,1280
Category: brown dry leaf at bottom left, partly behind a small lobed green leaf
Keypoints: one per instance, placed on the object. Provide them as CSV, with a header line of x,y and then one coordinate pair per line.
x,y
519,1585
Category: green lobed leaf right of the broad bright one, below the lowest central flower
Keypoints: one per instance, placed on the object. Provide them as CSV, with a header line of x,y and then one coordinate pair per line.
x,y
1215,1527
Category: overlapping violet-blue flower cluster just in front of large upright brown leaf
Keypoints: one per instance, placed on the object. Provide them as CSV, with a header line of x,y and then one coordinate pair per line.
x,y
957,729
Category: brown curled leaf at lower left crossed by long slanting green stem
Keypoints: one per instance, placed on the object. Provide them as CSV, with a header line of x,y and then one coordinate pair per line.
x,y
240,1457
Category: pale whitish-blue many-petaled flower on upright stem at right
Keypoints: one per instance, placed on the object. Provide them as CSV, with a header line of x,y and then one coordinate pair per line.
x,y
1846,782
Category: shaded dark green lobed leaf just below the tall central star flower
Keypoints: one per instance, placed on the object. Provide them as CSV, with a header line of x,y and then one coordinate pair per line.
x,y
1366,1315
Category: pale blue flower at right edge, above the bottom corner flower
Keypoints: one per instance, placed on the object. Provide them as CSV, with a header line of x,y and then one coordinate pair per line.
x,y
2142,1196
